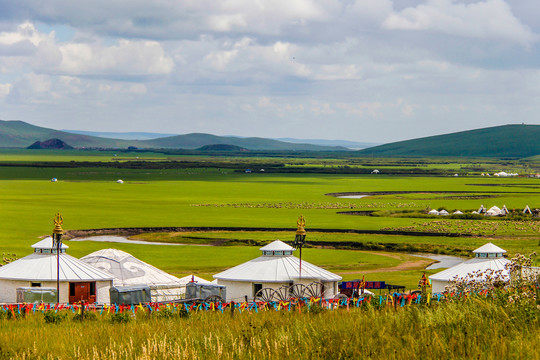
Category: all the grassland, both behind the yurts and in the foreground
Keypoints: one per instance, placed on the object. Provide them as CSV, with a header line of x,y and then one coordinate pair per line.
x,y
164,190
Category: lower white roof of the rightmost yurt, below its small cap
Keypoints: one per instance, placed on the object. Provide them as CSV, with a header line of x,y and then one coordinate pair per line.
x,y
472,266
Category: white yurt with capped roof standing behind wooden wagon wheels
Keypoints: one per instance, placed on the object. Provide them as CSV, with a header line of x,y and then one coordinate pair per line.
x,y
276,267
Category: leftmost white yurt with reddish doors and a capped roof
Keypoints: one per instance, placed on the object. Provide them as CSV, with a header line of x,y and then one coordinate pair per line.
x,y
78,280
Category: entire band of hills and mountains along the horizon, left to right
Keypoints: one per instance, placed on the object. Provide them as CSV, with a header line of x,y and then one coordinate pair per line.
x,y
513,141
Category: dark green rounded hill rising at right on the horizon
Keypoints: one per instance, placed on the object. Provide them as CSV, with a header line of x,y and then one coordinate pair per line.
x,y
515,141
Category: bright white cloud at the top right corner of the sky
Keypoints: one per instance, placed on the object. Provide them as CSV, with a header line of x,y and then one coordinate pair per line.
x,y
489,19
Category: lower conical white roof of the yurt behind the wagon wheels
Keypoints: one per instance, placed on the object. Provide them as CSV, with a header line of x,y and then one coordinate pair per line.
x,y
277,269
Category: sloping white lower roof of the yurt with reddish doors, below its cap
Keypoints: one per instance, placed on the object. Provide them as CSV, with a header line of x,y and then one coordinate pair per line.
x,y
41,267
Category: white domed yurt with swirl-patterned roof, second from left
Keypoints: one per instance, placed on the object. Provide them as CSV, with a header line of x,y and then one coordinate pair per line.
x,y
127,270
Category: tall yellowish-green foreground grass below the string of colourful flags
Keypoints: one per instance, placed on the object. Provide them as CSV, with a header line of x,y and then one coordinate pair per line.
x,y
471,329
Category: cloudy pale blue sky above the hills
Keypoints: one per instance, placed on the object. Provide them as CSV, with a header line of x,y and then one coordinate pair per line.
x,y
361,70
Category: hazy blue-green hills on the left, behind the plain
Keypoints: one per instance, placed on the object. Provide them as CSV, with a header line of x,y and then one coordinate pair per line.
x,y
19,134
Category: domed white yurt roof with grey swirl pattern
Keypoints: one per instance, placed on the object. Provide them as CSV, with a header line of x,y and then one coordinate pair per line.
x,y
128,270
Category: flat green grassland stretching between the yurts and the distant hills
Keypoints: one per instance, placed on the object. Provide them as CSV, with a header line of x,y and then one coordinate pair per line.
x,y
90,198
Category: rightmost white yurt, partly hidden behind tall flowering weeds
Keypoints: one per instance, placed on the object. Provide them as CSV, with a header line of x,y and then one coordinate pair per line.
x,y
487,257
